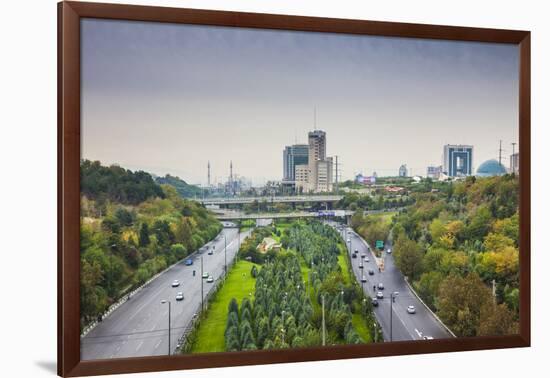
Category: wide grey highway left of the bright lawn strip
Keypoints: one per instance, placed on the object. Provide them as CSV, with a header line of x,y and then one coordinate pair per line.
x,y
139,327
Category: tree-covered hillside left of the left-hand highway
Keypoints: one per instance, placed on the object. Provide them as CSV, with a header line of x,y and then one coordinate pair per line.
x,y
131,229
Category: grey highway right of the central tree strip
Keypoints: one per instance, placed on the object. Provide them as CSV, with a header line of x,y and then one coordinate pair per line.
x,y
401,325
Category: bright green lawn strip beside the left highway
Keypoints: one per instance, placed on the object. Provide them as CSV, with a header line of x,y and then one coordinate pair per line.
x,y
239,284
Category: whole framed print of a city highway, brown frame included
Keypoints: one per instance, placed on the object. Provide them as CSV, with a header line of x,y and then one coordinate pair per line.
x,y
239,188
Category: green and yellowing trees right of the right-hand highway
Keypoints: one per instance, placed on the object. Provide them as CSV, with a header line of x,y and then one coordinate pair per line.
x,y
455,244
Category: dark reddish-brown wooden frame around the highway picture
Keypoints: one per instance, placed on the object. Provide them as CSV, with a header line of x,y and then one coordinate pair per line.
x,y
69,17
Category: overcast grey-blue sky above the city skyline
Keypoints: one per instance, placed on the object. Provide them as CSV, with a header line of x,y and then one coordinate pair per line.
x,y
167,98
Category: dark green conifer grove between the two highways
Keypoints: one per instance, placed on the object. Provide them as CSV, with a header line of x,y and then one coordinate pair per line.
x,y
286,311
